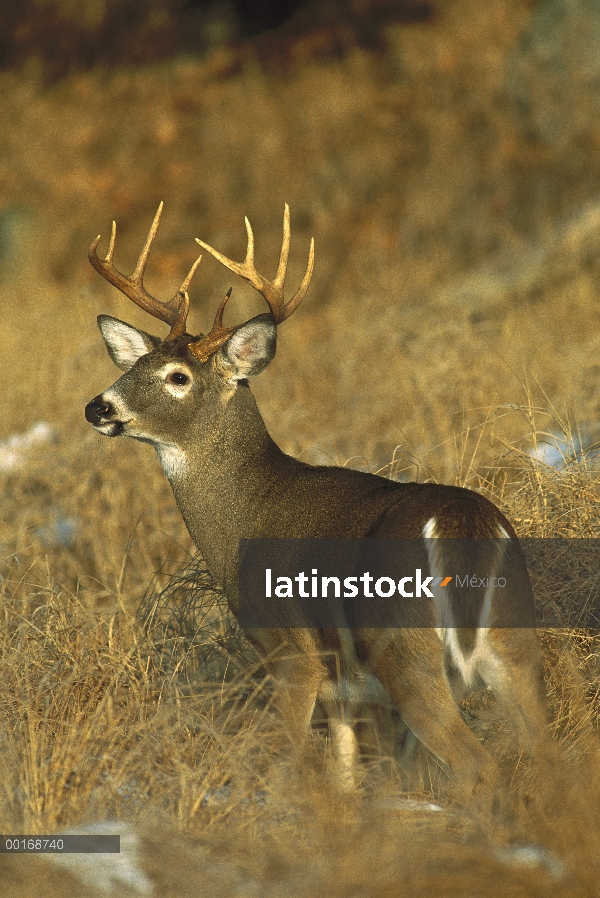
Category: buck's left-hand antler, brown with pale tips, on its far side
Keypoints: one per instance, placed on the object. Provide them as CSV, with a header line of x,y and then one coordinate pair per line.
x,y
175,311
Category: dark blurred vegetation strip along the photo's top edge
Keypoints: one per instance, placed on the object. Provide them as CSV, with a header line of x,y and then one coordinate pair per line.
x,y
65,35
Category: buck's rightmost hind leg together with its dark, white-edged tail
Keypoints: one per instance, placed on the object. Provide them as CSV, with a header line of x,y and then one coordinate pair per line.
x,y
487,628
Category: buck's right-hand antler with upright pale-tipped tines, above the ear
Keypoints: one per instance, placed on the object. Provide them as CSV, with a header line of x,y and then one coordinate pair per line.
x,y
272,291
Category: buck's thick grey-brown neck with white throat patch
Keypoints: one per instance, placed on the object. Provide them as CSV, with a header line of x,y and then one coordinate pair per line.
x,y
220,478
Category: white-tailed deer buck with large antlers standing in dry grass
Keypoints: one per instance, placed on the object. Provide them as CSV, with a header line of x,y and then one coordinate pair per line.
x,y
189,397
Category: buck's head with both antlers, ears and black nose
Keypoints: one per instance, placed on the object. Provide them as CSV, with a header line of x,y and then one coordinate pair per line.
x,y
162,397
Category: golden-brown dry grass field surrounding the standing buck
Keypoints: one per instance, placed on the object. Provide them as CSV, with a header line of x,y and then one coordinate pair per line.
x,y
452,326
